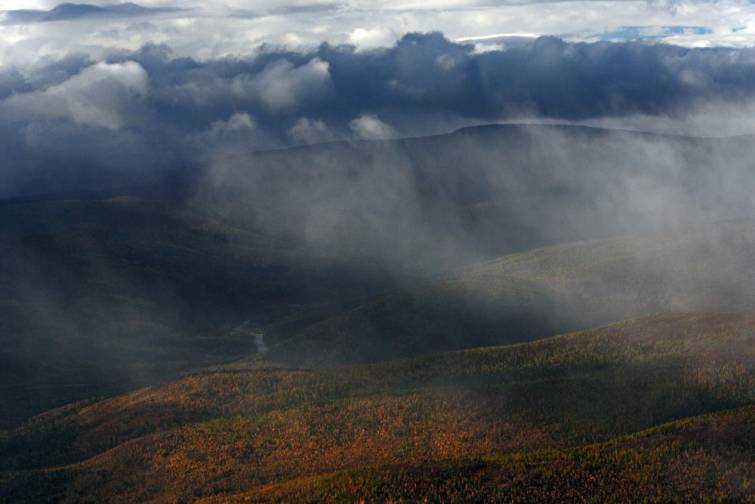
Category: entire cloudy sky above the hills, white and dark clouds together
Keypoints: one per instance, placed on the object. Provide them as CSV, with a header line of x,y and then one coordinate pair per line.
x,y
125,87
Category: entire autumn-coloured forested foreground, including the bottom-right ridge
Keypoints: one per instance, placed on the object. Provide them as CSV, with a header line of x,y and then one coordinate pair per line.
x,y
533,408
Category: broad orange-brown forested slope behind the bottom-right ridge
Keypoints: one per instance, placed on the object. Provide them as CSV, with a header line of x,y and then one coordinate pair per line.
x,y
225,432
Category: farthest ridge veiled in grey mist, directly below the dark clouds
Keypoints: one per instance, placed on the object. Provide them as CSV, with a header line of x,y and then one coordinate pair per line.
x,y
433,203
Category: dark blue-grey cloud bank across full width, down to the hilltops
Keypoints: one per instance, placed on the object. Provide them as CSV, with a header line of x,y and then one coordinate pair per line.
x,y
149,105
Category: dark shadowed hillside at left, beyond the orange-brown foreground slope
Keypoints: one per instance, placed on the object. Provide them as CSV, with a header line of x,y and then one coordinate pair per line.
x,y
100,293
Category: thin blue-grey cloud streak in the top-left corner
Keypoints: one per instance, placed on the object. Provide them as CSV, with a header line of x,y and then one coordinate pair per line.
x,y
72,11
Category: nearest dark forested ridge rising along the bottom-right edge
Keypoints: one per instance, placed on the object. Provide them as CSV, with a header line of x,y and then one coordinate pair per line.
x,y
702,459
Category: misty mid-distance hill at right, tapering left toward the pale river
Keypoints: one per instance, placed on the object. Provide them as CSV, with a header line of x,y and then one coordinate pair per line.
x,y
542,292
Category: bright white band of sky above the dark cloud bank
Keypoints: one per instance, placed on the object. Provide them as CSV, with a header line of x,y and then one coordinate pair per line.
x,y
216,28
